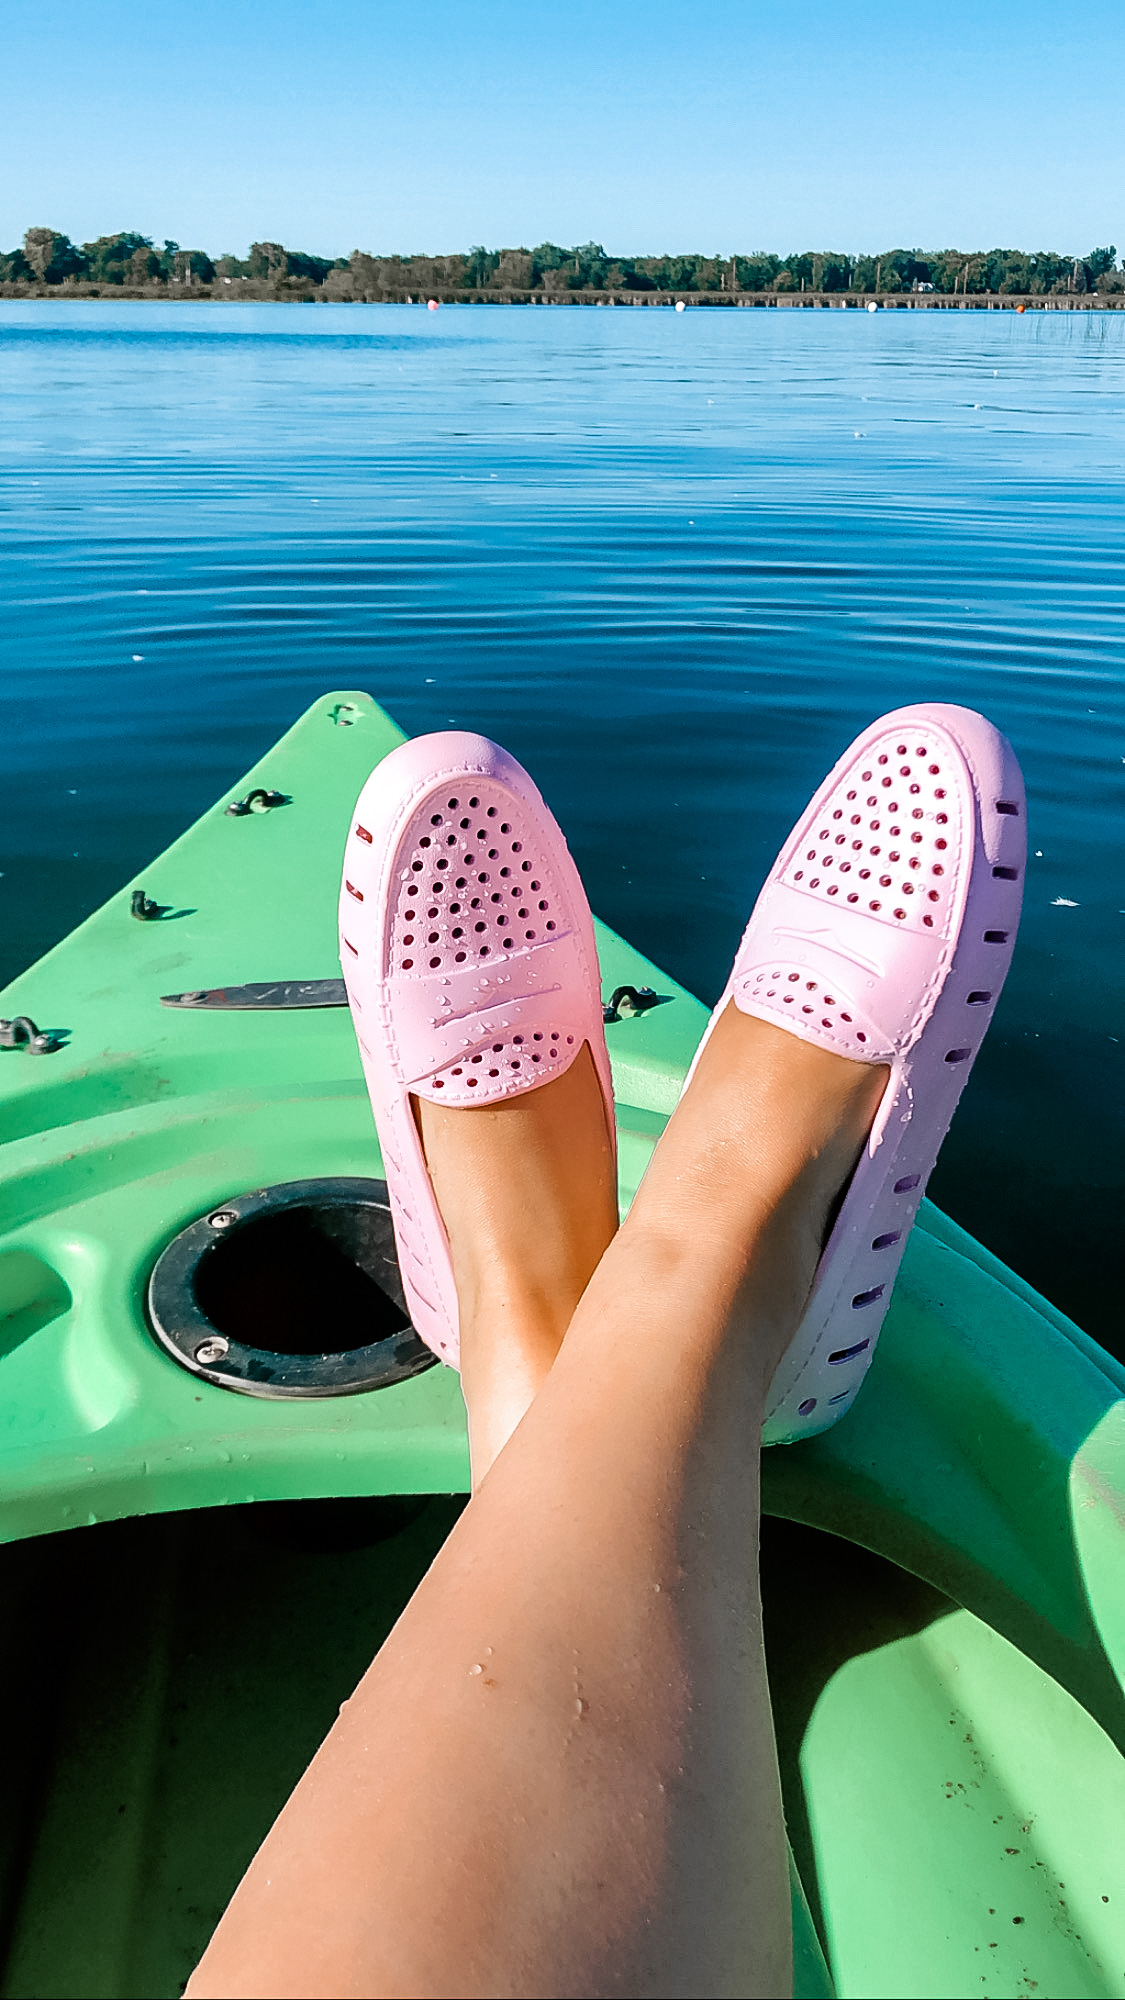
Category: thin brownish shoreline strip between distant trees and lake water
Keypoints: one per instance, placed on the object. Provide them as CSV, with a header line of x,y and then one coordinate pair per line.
x,y
283,295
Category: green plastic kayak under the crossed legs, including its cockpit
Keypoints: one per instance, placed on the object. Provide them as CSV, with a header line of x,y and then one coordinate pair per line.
x,y
944,1573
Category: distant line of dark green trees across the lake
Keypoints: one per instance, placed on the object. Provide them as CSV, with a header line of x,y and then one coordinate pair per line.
x,y
135,263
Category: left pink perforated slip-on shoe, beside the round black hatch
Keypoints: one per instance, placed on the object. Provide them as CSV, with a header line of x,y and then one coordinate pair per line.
x,y
469,957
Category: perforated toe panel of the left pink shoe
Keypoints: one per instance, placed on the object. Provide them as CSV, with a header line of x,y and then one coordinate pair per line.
x,y
471,889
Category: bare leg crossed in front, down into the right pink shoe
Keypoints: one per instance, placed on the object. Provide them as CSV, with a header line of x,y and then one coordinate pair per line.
x,y
559,1773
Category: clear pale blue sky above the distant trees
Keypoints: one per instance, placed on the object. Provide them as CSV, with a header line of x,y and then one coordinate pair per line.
x,y
646,125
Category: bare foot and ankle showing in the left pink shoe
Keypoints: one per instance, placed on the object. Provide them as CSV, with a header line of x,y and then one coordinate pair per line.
x,y
529,1201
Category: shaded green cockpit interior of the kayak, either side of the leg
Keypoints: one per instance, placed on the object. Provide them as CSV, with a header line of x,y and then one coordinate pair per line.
x,y
167,1681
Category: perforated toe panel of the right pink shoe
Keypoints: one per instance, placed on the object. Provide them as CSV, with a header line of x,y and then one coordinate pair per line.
x,y
888,837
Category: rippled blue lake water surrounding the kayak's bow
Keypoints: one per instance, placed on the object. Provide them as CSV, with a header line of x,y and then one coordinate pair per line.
x,y
674,561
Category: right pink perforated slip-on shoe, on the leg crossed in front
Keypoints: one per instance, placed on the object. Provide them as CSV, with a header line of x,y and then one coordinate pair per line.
x,y
886,933
